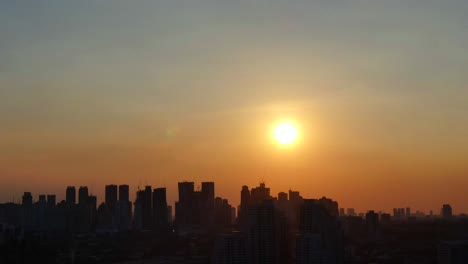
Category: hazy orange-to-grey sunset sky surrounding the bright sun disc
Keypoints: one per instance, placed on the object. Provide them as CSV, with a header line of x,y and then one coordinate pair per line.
x,y
156,92
